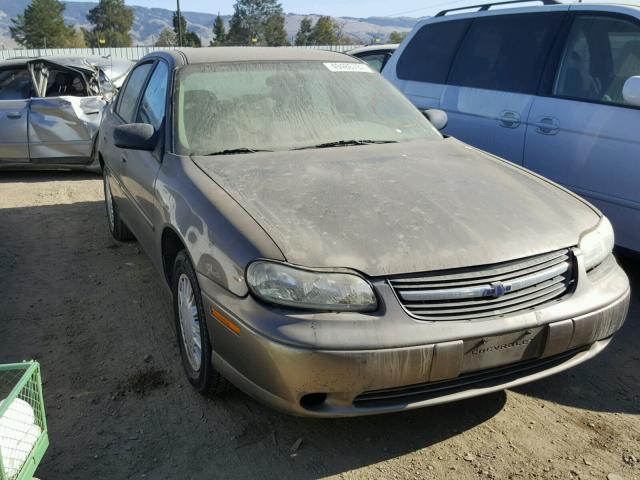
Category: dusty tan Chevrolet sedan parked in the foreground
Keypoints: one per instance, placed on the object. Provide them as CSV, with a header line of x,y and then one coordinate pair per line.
x,y
330,253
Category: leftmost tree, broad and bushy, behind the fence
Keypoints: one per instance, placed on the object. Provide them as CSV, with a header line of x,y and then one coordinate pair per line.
x,y
42,25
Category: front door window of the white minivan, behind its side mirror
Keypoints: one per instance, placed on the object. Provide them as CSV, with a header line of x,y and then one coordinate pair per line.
x,y
601,53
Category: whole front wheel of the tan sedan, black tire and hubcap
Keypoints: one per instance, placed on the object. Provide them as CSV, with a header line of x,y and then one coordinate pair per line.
x,y
191,326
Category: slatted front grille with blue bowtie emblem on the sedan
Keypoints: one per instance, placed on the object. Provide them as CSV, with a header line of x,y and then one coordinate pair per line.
x,y
488,291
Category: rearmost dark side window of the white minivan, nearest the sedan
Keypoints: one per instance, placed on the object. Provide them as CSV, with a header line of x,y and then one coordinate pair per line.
x,y
429,54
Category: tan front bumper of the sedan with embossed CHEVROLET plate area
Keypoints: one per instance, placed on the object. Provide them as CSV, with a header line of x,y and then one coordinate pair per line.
x,y
318,380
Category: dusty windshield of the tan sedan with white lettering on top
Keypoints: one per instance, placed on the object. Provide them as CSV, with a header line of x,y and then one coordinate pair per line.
x,y
248,107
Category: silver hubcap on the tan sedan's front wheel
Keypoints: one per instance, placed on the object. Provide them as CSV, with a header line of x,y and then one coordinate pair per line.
x,y
189,322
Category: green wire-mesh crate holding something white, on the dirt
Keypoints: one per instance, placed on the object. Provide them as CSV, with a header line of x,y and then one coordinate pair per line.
x,y
23,425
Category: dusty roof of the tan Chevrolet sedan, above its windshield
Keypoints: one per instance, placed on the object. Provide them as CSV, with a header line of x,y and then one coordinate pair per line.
x,y
251,54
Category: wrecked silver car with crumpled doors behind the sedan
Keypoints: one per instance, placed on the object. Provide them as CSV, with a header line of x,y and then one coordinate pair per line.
x,y
51,108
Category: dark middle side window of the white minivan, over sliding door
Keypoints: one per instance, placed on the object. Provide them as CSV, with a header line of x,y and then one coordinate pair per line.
x,y
506,52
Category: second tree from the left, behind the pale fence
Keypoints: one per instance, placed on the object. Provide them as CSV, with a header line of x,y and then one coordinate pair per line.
x,y
112,22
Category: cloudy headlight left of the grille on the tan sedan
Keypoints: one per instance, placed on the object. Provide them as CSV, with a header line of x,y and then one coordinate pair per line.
x,y
295,287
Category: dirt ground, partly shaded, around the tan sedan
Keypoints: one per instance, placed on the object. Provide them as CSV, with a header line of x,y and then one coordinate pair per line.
x,y
97,317
